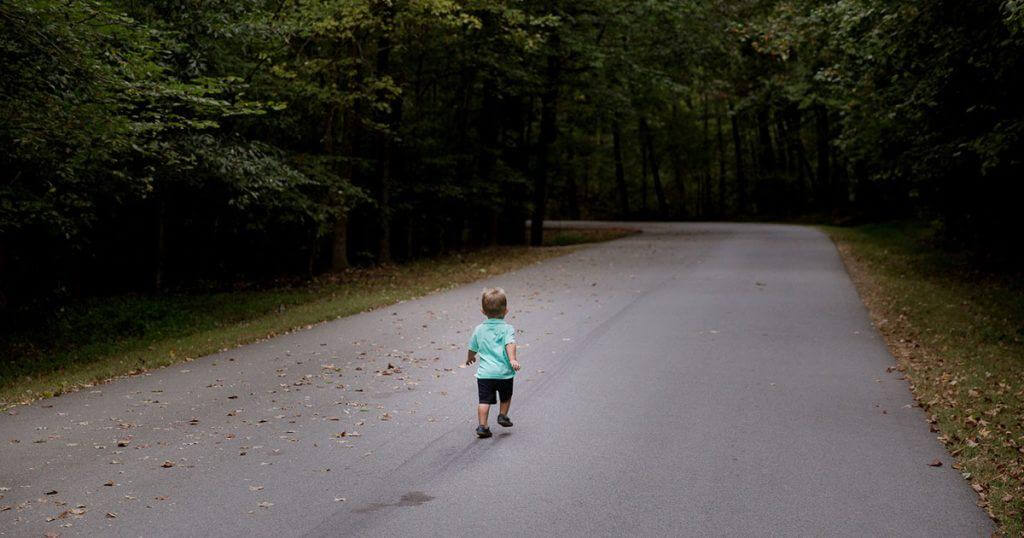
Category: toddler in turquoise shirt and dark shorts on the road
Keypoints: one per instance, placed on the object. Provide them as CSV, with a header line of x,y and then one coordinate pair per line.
x,y
494,344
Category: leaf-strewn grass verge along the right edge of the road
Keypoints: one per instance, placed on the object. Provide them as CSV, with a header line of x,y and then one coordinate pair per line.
x,y
958,333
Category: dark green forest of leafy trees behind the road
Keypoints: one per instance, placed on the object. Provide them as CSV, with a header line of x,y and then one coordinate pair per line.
x,y
170,145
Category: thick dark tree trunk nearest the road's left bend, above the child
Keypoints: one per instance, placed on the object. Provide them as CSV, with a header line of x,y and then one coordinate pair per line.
x,y
549,132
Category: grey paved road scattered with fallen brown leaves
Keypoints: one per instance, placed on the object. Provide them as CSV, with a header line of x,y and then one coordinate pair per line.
x,y
696,380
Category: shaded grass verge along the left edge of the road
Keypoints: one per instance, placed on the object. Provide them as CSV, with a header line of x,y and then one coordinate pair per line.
x,y
107,338
